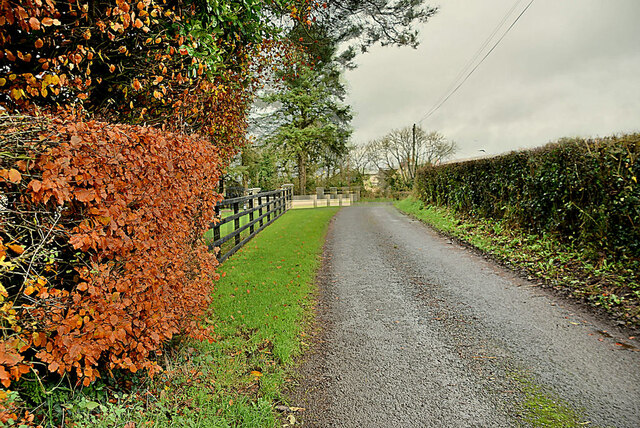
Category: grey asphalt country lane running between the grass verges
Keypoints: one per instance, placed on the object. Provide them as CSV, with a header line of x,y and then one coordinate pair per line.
x,y
418,331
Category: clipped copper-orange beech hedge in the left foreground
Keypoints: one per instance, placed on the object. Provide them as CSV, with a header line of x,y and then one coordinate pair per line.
x,y
102,257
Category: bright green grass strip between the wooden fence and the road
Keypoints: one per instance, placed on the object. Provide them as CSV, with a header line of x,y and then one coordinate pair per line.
x,y
261,307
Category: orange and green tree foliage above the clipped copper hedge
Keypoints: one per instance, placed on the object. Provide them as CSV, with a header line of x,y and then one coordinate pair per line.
x,y
135,61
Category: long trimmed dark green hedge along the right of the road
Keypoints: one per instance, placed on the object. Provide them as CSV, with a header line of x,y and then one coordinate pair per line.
x,y
586,191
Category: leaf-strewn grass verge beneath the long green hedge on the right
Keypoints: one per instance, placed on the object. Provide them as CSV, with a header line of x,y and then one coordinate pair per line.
x,y
612,285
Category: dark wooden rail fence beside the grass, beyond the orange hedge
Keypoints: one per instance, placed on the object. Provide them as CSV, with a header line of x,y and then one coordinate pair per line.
x,y
262,209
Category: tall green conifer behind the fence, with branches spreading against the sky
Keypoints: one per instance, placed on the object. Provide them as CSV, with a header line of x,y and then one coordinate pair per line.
x,y
352,26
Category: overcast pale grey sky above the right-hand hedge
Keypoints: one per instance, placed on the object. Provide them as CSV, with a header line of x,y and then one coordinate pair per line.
x,y
567,68
